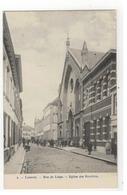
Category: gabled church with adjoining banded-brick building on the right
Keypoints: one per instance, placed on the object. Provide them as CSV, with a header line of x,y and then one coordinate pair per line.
x,y
86,97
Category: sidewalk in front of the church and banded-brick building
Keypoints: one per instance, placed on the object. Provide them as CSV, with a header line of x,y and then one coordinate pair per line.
x,y
94,154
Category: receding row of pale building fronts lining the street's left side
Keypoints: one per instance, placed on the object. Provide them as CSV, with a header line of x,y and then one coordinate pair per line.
x,y
12,87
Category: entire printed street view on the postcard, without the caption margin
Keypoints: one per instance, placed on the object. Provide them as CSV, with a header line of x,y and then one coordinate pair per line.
x,y
60,92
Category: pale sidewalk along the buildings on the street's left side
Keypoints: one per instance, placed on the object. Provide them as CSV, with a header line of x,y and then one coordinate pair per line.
x,y
14,165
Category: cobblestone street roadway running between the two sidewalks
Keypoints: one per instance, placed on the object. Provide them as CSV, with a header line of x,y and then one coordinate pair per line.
x,y
51,160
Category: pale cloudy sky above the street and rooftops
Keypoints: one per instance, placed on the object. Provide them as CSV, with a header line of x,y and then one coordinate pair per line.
x,y
40,39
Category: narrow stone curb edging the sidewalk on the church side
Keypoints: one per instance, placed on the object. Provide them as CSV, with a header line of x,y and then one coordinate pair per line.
x,y
91,156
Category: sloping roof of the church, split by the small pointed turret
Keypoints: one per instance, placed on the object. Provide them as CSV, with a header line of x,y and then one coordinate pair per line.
x,y
92,58
